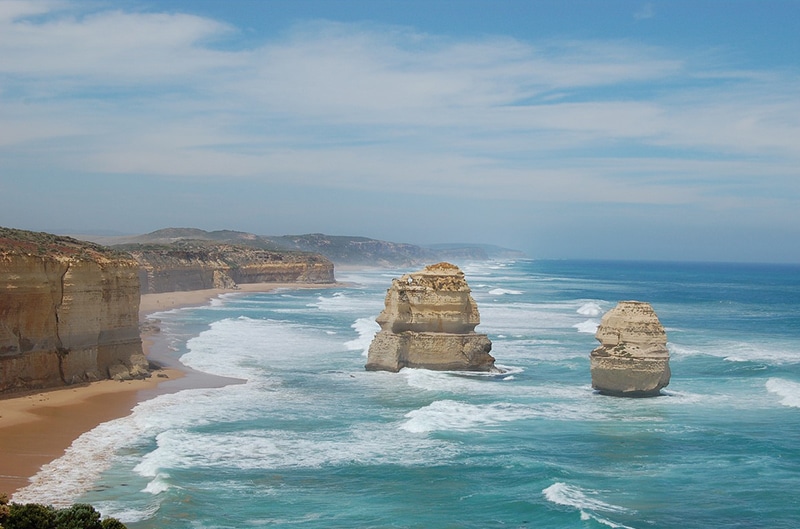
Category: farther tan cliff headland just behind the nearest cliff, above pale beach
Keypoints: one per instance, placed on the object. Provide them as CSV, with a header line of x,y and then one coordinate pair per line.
x,y
198,265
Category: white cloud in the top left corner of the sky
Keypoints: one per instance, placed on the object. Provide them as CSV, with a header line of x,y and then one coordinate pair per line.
x,y
108,48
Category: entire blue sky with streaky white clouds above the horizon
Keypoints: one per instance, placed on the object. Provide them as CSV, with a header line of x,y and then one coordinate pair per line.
x,y
653,130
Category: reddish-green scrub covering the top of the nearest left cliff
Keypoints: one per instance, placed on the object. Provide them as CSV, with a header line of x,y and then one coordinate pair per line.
x,y
14,241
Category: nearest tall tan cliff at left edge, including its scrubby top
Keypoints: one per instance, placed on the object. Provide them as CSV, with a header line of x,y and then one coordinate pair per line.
x,y
69,312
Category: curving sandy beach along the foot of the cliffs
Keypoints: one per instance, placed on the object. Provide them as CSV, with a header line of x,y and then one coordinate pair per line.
x,y
38,427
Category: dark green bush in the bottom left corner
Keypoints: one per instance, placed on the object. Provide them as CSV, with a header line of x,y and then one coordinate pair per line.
x,y
36,516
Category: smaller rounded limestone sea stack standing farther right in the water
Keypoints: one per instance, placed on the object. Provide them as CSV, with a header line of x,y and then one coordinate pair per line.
x,y
632,360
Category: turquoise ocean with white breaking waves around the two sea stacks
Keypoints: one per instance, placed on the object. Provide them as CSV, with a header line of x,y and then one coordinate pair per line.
x,y
313,440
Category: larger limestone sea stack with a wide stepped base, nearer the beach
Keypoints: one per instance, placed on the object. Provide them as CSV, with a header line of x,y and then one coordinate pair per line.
x,y
429,322
